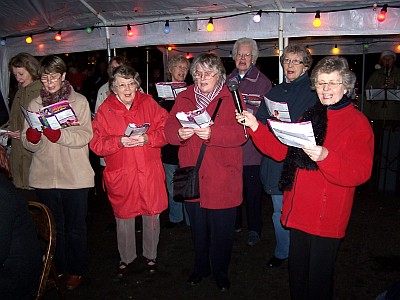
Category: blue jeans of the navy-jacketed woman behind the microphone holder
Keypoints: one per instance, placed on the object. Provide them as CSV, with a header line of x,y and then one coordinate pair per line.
x,y
282,235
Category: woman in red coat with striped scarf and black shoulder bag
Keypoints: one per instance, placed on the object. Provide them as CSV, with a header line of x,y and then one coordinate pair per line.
x,y
212,216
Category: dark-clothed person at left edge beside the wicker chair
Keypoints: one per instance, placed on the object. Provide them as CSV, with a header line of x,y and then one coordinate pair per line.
x,y
20,255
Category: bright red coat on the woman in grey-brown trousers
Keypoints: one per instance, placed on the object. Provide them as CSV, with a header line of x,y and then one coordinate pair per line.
x,y
134,177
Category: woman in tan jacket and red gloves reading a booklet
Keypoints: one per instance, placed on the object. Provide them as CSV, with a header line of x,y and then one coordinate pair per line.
x,y
60,171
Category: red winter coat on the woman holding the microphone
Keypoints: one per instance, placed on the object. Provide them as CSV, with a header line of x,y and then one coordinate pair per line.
x,y
320,202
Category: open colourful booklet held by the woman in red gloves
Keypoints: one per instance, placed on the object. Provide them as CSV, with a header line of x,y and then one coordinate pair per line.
x,y
55,116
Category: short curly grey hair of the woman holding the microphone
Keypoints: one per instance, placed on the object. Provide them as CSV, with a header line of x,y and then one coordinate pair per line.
x,y
330,64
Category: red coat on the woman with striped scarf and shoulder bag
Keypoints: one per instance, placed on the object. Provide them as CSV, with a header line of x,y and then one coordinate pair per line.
x,y
221,170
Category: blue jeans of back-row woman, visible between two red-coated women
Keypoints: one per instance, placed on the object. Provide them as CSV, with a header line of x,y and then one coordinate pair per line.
x,y
177,211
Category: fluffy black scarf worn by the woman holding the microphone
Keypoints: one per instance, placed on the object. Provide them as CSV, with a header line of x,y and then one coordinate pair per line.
x,y
296,157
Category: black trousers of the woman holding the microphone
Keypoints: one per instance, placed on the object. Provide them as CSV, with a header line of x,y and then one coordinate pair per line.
x,y
311,266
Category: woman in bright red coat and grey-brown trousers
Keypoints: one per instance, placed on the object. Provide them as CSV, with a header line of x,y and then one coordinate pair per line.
x,y
134,176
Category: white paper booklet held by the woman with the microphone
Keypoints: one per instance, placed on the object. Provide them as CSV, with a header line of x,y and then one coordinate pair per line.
x,y
293,134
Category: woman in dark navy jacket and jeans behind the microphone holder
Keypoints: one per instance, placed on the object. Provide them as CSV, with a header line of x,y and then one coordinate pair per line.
x,y
295,90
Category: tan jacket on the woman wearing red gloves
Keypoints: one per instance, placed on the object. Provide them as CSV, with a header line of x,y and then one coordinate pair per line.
x,y
64,164
